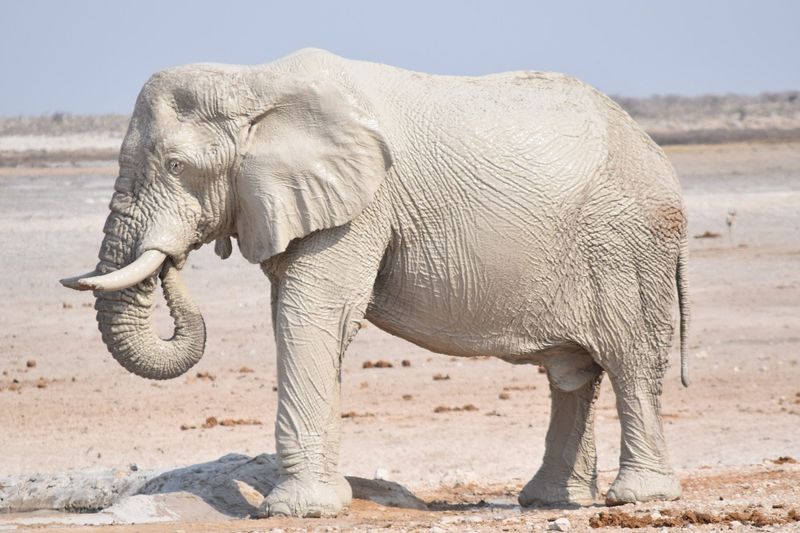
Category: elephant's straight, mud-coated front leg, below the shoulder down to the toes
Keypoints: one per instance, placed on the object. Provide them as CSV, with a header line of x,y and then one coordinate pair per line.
x,y
308,426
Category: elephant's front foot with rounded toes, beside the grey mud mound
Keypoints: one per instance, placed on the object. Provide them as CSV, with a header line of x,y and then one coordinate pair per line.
x,y
305,497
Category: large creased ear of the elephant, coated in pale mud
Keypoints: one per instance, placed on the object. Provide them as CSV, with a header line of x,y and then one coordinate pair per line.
x,y
313,159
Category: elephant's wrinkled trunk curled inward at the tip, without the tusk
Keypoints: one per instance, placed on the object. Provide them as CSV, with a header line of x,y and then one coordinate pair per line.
x,y
125,317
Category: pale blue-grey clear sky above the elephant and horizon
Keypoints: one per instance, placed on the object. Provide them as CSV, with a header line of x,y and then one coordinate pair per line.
x,y
92,56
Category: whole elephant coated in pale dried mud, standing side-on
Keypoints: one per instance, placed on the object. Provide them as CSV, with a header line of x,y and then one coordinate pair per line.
x,y
521,215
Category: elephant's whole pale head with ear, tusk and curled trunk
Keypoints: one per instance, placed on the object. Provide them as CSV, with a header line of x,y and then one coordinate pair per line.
x,y
264,154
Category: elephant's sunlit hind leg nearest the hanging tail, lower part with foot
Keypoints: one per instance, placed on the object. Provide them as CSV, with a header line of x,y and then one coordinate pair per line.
x,y
644,473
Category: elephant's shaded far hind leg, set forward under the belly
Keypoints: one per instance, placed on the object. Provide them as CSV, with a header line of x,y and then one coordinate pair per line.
x,y
568,474
